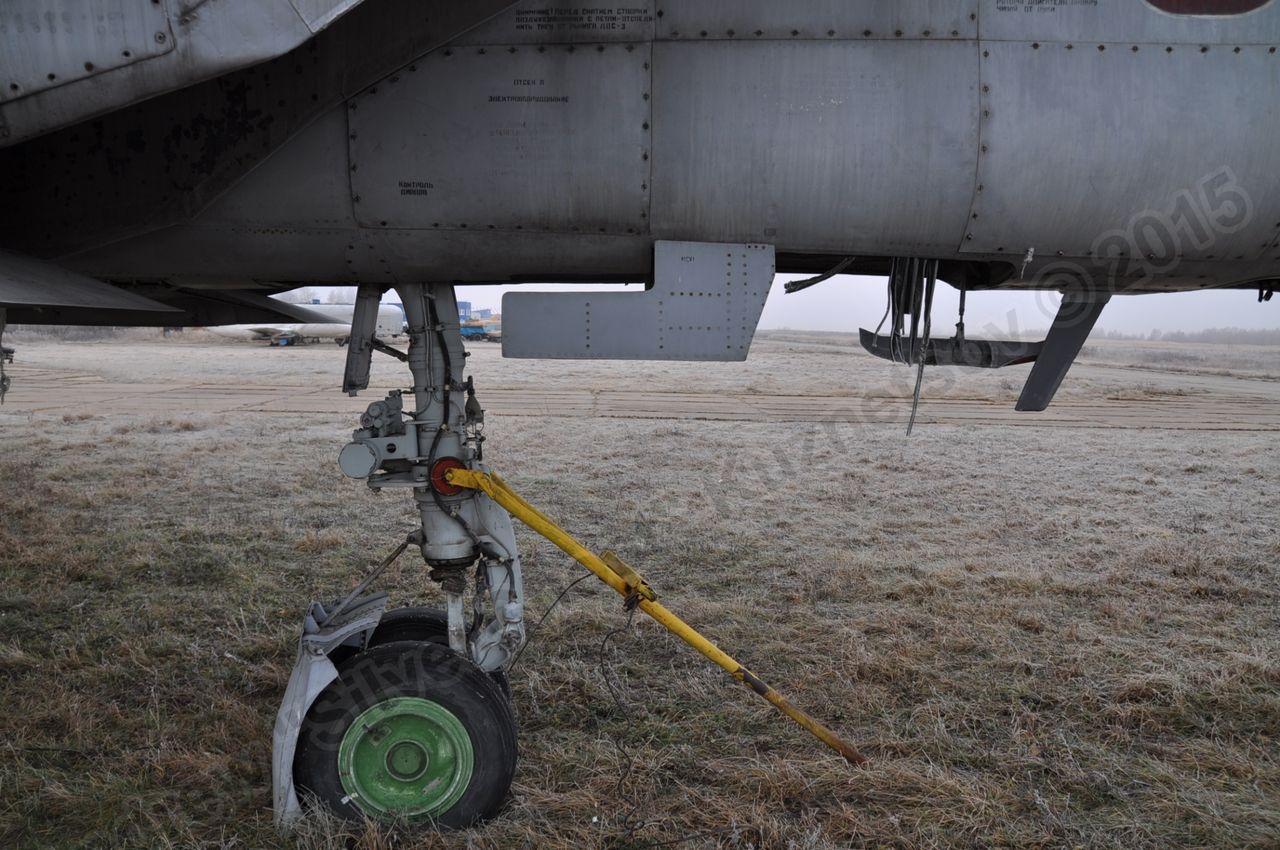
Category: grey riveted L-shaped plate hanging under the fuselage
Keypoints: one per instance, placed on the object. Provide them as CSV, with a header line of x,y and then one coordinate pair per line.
x,y
705,305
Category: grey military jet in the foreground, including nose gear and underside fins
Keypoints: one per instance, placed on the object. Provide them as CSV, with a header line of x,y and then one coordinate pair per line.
x,y
176,163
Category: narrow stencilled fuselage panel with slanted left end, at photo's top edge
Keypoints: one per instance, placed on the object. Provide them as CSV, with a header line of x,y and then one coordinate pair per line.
x,y
533,22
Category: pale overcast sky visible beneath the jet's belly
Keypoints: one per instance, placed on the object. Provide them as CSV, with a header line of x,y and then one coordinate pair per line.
x,y
849,303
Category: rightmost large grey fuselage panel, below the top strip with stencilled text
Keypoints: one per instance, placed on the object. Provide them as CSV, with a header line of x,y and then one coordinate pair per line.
x,y
1098,154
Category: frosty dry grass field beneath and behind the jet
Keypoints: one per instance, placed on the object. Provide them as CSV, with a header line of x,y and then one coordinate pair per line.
x,y
1064,634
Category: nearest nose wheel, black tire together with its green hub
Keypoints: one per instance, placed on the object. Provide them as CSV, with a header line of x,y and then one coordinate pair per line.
x,y
410,732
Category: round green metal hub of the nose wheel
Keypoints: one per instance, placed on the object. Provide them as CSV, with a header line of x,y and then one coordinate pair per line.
x,y
406,757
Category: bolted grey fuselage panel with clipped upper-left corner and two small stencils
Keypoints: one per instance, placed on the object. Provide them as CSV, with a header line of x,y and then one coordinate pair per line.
x,y
533,140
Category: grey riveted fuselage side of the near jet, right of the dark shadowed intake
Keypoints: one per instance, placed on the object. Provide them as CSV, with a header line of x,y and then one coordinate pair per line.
x,y
563,143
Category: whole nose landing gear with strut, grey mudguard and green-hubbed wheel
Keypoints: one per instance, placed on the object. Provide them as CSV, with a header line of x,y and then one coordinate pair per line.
x,y
406,716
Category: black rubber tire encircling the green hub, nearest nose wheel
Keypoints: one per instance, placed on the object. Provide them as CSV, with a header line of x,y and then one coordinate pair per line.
x,y
414,670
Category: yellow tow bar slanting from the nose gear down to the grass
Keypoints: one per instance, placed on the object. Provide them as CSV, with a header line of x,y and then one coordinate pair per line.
x,y
612,572
